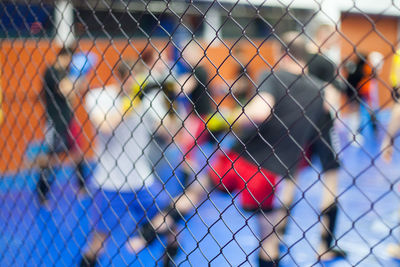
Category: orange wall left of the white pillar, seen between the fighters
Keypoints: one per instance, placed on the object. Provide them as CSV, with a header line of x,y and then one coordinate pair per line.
x,y
23,63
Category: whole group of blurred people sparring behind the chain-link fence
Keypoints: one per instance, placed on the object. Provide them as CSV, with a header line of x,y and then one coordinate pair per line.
x,y
157,127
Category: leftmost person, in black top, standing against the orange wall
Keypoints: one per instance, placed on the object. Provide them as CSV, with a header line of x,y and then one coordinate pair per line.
x,y
63,133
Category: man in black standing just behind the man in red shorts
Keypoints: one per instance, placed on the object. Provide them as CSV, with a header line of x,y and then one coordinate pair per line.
x,y
325,70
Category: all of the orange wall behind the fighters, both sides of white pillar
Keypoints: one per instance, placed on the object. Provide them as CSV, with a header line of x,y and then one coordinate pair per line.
x,y
24,61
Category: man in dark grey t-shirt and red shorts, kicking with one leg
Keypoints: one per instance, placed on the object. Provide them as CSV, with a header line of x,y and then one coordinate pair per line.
x,y
271,130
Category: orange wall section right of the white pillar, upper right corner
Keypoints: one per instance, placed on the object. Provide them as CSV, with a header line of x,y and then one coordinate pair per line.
x,y
364,36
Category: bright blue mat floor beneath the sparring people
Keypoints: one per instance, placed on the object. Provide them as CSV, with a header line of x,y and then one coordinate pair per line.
x,y
220,234
